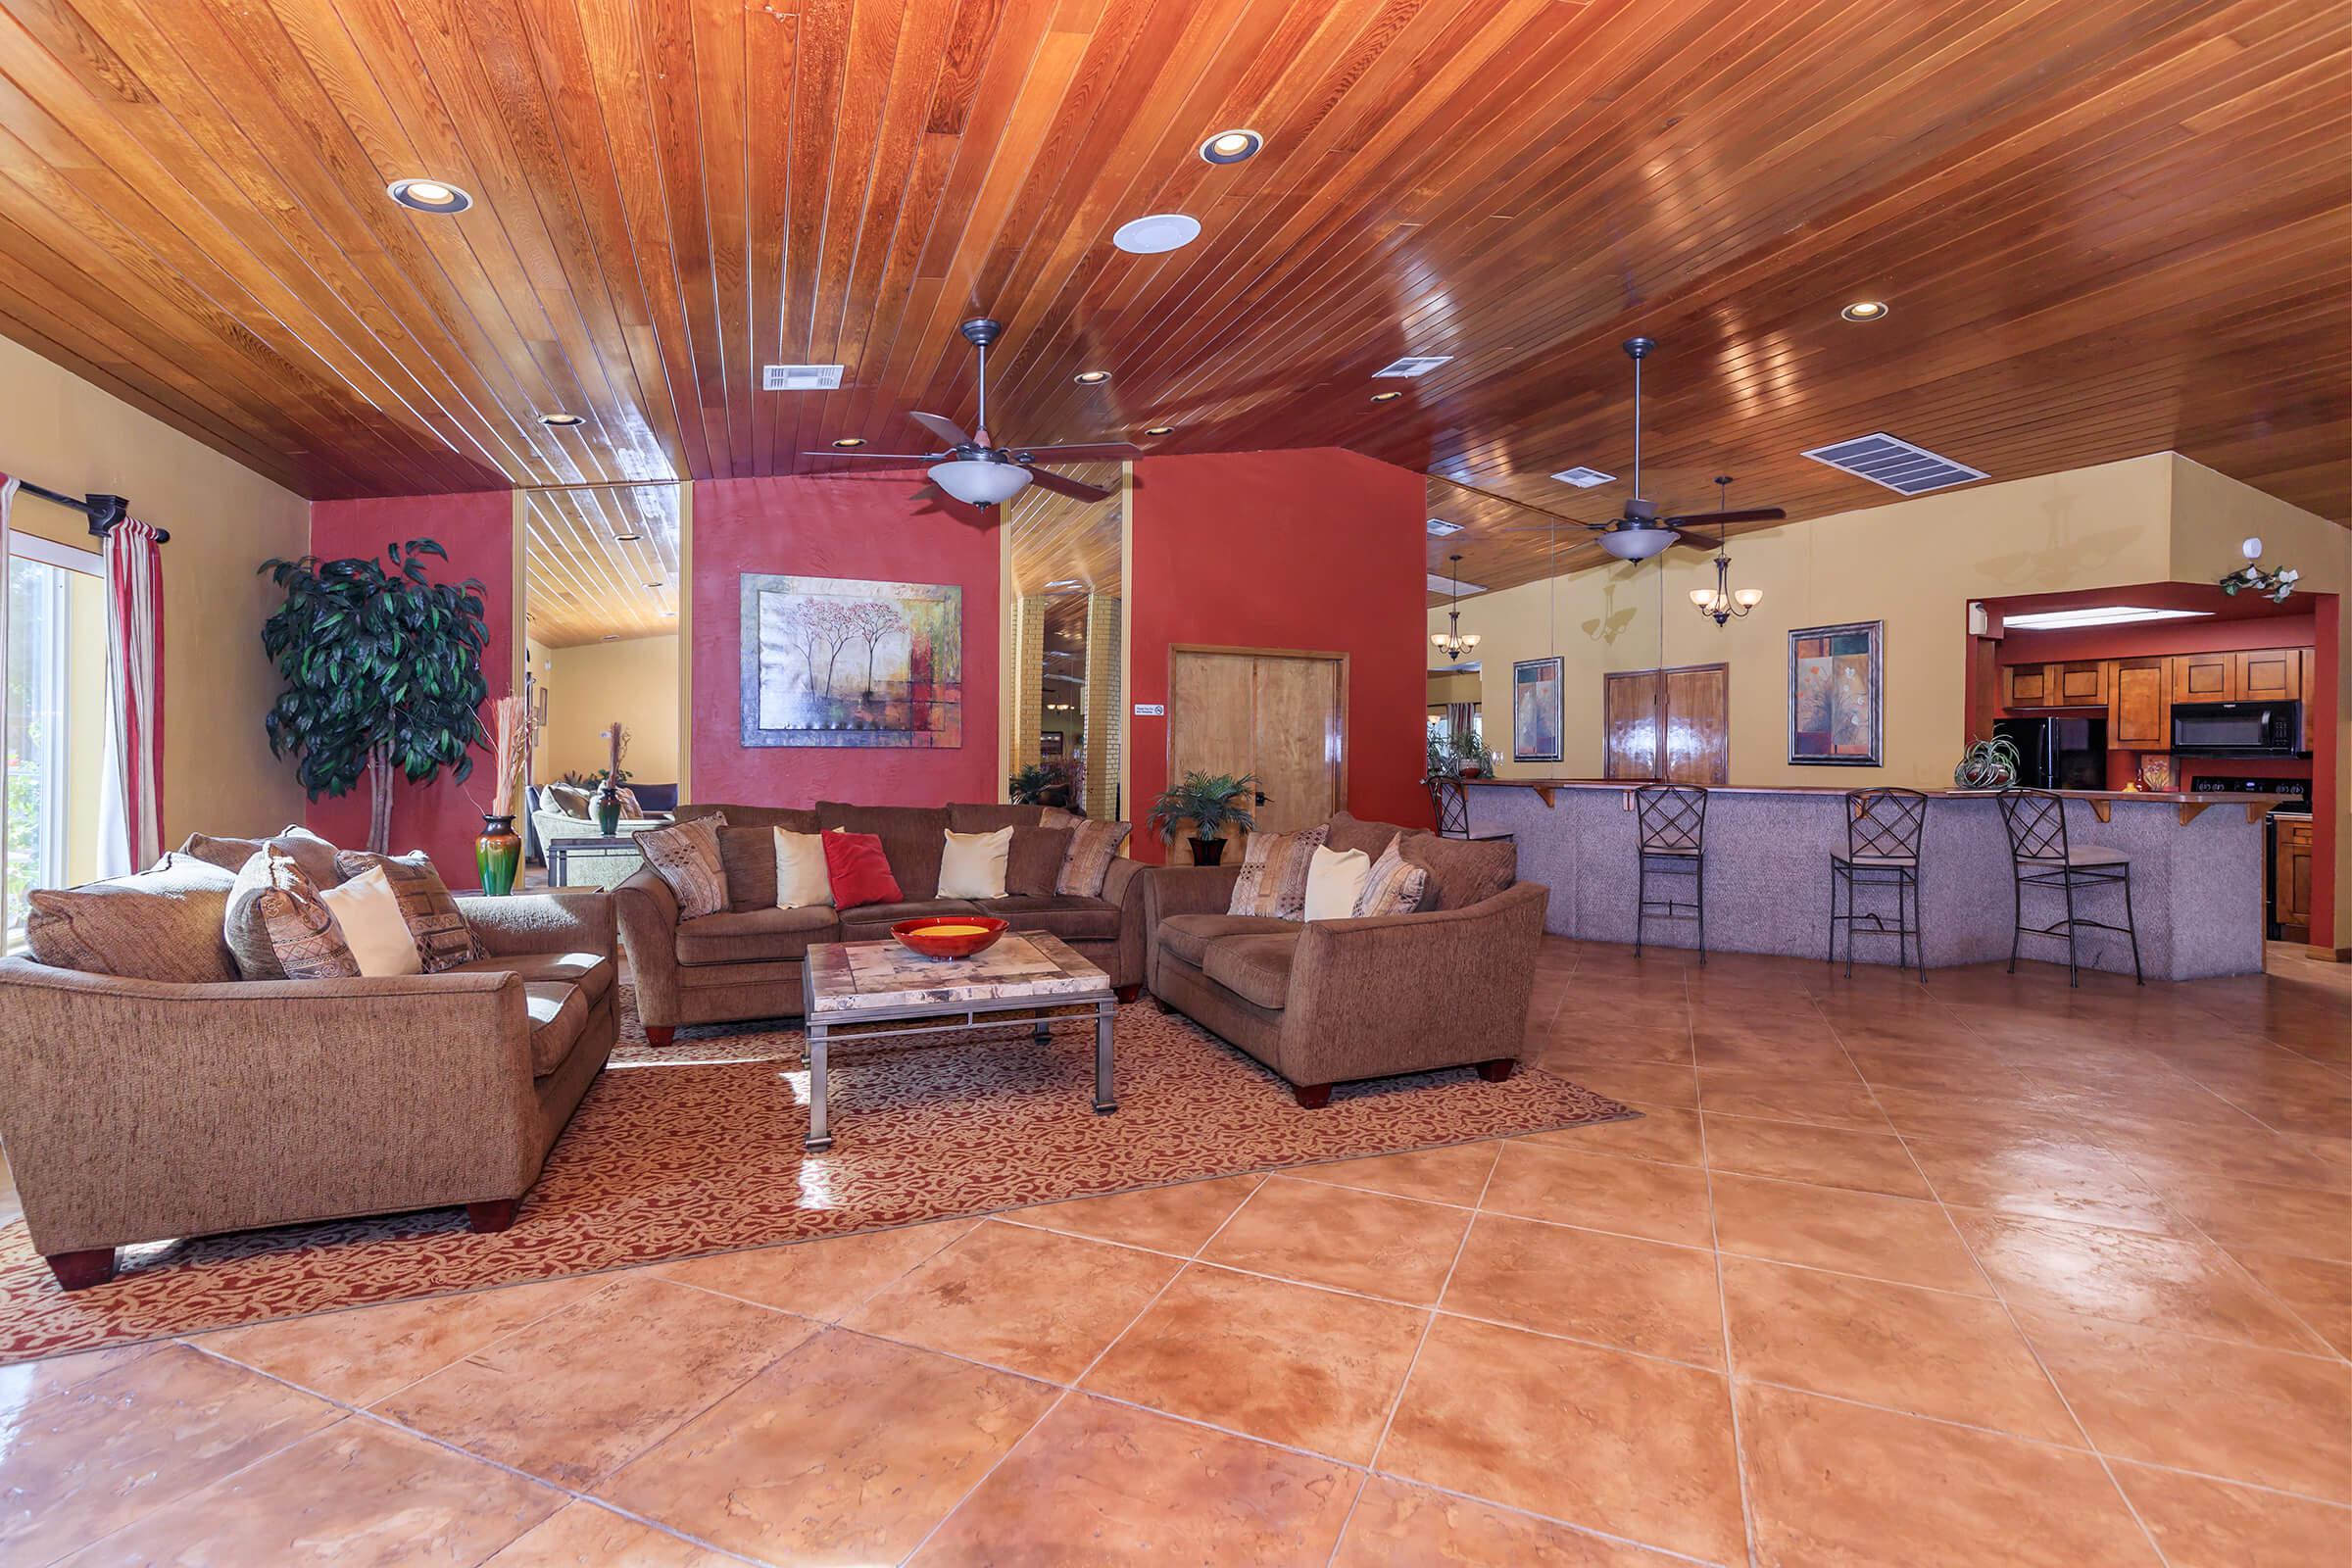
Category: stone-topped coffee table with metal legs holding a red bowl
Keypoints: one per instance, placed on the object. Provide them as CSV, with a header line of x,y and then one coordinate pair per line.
x,y
883,991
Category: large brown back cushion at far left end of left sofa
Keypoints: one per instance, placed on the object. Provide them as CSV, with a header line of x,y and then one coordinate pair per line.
x,y
156,925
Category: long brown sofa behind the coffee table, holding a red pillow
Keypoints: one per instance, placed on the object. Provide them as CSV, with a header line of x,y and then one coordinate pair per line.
x,y
744,963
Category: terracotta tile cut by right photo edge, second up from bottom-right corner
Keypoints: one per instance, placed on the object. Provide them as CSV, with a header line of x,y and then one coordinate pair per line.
x,y
2200,1405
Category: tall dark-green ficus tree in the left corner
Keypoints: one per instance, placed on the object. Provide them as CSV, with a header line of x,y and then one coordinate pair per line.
x,y
385,671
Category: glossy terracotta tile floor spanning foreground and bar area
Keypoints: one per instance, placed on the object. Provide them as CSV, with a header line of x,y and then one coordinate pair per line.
x,y
1982,1273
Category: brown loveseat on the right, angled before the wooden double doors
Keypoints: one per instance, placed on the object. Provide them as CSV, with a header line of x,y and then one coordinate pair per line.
x,y
1339,1000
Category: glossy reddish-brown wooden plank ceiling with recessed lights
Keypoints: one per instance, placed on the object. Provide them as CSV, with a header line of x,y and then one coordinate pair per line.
x,y
2104,229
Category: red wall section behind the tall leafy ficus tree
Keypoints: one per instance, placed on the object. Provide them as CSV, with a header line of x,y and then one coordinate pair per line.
x,y
479,530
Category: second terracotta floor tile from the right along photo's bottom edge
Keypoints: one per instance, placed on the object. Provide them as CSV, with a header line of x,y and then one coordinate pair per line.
x,y
1847,1487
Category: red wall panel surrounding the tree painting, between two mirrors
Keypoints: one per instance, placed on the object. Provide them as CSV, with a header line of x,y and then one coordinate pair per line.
x,y
848,528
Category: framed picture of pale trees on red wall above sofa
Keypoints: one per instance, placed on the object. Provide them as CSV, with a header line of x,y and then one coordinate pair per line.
x,y
843,662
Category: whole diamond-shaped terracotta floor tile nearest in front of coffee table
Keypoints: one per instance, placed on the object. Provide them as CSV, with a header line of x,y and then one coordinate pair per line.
x,y
1022,1299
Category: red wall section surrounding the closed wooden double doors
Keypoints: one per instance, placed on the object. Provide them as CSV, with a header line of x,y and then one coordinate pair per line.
x,y
1314,549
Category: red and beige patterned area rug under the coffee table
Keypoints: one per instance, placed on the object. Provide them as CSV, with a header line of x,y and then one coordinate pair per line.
x,y
695,1148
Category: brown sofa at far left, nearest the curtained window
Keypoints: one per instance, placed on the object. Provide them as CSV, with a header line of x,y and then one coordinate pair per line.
x,y
145,1111
